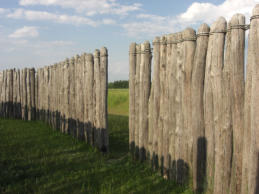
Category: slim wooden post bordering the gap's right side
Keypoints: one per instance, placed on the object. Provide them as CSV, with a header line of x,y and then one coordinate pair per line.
x,y
132,72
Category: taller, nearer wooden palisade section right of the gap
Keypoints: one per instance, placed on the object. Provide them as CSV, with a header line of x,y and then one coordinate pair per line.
x,y
199,120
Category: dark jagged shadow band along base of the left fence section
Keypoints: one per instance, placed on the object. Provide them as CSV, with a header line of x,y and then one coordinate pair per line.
x,y
80,130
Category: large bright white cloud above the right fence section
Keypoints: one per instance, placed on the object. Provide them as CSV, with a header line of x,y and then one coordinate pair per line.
x,y
197,13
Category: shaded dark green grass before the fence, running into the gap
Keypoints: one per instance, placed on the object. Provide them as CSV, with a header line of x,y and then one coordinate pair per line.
x,y
37,159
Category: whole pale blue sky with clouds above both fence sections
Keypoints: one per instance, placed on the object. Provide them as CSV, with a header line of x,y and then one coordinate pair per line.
x,y
35,33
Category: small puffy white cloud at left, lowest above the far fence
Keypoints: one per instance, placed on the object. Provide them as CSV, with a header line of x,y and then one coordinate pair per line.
x,y
25,32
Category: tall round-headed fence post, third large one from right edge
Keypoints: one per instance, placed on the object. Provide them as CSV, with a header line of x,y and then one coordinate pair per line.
x,y
217,85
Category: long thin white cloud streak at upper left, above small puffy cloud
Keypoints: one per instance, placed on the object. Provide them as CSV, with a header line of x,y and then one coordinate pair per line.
x,y
47,16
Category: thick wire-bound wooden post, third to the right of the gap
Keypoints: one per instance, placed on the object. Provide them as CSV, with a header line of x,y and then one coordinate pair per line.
x,y
145,84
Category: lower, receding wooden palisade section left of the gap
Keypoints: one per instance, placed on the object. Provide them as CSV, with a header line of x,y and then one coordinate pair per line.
x,y
71,96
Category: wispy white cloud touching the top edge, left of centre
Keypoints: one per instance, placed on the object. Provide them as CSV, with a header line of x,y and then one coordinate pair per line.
x,y
90,7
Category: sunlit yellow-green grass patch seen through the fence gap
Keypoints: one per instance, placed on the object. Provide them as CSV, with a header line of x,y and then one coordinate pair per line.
x,y
118,101
